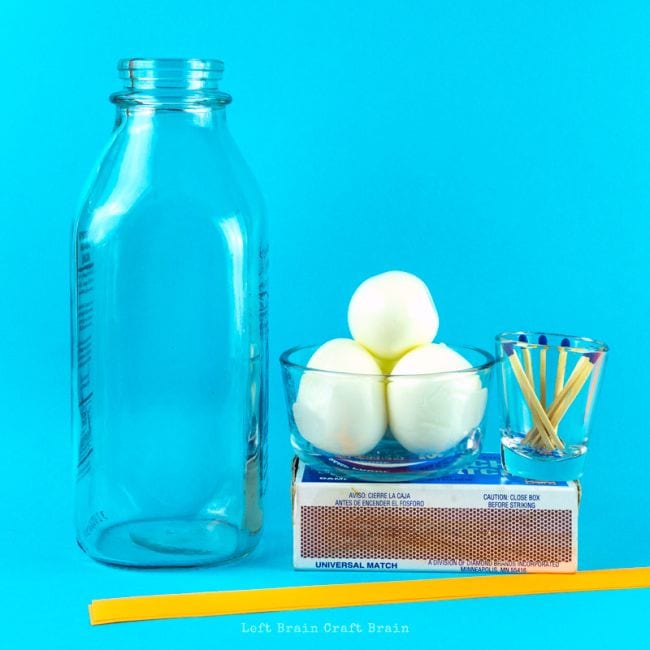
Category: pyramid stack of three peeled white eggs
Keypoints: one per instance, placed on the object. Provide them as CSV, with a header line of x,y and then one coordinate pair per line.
x,y
390,379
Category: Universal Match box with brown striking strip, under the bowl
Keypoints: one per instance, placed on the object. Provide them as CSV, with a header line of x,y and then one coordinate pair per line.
x,y
478,520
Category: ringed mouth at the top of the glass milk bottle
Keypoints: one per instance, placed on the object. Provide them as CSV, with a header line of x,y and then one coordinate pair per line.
x,y
169,74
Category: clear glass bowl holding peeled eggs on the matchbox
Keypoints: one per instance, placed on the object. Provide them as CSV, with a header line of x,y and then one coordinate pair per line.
x,y
431,424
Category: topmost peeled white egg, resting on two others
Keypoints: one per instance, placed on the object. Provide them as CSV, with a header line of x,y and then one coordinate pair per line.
x,y
392,313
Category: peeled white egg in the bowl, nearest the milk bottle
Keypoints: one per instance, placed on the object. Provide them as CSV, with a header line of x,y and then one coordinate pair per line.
x,y
343,414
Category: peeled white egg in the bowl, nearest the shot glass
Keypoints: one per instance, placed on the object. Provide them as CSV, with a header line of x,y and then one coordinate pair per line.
x,y
429,414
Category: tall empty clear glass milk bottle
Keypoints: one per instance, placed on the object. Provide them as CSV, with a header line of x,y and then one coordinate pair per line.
x,y
169,329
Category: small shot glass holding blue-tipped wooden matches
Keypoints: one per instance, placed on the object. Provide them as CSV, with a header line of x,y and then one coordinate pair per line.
x,y
548,385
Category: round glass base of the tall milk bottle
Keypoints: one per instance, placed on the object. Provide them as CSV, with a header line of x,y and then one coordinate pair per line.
x,y
170,543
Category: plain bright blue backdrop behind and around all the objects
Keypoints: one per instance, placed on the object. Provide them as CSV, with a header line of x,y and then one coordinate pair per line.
x,y
500,150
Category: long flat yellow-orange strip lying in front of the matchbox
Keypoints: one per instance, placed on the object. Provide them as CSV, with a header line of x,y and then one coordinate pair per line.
x,y
146,608
